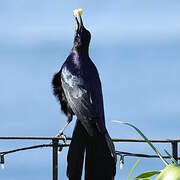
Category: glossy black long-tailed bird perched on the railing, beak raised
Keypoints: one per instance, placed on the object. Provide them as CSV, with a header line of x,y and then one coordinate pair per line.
x,y
78,88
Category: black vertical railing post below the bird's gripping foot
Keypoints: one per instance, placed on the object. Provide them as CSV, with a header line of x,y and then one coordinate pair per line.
x,y
55,159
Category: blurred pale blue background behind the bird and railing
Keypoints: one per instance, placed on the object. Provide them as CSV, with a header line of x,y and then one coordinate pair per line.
x,y
136,47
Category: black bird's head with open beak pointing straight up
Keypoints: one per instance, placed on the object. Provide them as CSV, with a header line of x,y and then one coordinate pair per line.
x,y
82,35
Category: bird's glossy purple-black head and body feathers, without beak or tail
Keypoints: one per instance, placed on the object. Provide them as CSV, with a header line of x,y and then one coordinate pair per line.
x,y
77,85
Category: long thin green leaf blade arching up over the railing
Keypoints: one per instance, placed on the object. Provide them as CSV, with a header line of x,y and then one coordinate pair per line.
x,y
146,139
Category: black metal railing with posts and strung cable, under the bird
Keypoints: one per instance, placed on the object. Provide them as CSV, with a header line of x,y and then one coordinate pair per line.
x,y
55,145
